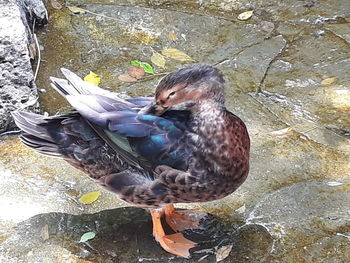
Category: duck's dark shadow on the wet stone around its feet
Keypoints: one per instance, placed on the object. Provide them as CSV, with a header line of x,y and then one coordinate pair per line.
x,y
122,235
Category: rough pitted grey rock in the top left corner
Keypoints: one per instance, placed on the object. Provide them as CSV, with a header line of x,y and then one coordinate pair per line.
x,y
17,87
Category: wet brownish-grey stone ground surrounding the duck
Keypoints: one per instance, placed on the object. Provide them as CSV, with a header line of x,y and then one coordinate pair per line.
x,y
294,206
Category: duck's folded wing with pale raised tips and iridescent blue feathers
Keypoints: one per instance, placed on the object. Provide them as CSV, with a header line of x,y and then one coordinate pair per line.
x,y
143,140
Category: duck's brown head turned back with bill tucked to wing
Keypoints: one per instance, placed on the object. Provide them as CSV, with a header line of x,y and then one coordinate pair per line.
x,y
187,88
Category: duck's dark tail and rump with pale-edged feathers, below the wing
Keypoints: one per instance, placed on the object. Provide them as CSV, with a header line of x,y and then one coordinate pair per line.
x,y
71,137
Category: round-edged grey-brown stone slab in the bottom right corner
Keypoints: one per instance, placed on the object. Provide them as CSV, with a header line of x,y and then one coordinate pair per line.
x,y
311,217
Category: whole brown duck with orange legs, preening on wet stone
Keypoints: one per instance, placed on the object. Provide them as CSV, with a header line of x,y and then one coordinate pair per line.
x,y
179,146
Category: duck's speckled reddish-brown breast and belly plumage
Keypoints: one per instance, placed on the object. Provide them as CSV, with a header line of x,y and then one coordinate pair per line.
x,y
219,165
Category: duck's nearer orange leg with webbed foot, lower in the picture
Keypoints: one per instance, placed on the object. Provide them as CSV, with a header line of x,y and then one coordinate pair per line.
x,y
176,243
